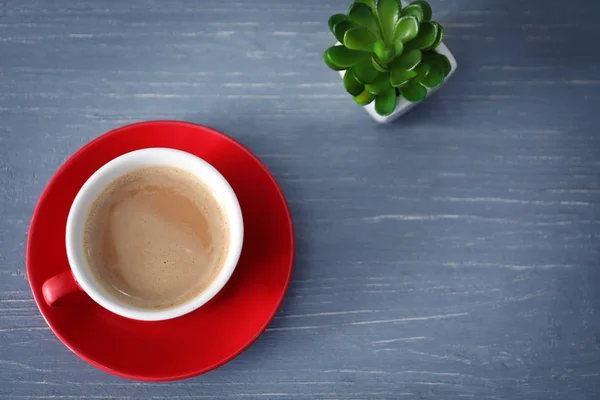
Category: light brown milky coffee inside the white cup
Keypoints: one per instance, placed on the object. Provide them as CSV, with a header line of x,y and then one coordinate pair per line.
x,y
156,237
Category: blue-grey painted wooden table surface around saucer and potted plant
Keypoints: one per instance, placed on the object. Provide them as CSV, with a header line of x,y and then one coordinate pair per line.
x,y
450,255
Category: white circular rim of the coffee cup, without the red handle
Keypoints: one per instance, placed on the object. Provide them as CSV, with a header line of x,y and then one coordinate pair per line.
x,y
80,208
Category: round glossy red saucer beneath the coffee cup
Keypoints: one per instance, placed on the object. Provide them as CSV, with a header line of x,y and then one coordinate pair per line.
x,y
206,338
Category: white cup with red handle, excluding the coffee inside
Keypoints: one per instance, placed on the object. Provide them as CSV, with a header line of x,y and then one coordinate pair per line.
x,y
80,276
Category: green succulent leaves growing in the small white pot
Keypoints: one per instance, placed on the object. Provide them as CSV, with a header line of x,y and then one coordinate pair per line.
x,y
387,51
